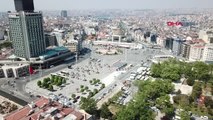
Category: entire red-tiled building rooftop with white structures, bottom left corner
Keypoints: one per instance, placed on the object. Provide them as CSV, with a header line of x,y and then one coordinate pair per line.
x,y
44,109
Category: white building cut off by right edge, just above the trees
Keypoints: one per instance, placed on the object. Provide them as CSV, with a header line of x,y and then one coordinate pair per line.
x,y
208,53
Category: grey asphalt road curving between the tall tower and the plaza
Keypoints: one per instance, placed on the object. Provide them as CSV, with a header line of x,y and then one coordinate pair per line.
x,y
19,86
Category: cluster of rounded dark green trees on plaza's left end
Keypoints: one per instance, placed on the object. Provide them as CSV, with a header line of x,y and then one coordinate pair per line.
x,y
48,82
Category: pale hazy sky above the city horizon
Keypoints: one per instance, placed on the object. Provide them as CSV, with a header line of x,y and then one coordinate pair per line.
x,y
6,5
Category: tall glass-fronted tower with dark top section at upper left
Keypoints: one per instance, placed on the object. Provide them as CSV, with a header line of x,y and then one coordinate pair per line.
x,y
26,30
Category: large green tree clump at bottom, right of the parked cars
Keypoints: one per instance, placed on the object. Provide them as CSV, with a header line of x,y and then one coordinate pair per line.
x,y
150,94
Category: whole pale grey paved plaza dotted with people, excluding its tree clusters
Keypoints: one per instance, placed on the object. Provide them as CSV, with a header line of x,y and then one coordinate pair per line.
x,y
102,67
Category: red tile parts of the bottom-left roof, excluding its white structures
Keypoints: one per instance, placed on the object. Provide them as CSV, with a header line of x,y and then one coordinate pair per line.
x,y
22,114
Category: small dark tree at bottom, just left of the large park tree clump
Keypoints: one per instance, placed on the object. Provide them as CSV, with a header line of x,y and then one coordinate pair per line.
x,y
105,112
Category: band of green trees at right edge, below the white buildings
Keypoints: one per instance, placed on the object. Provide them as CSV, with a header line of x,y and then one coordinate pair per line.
x,y
174,70
